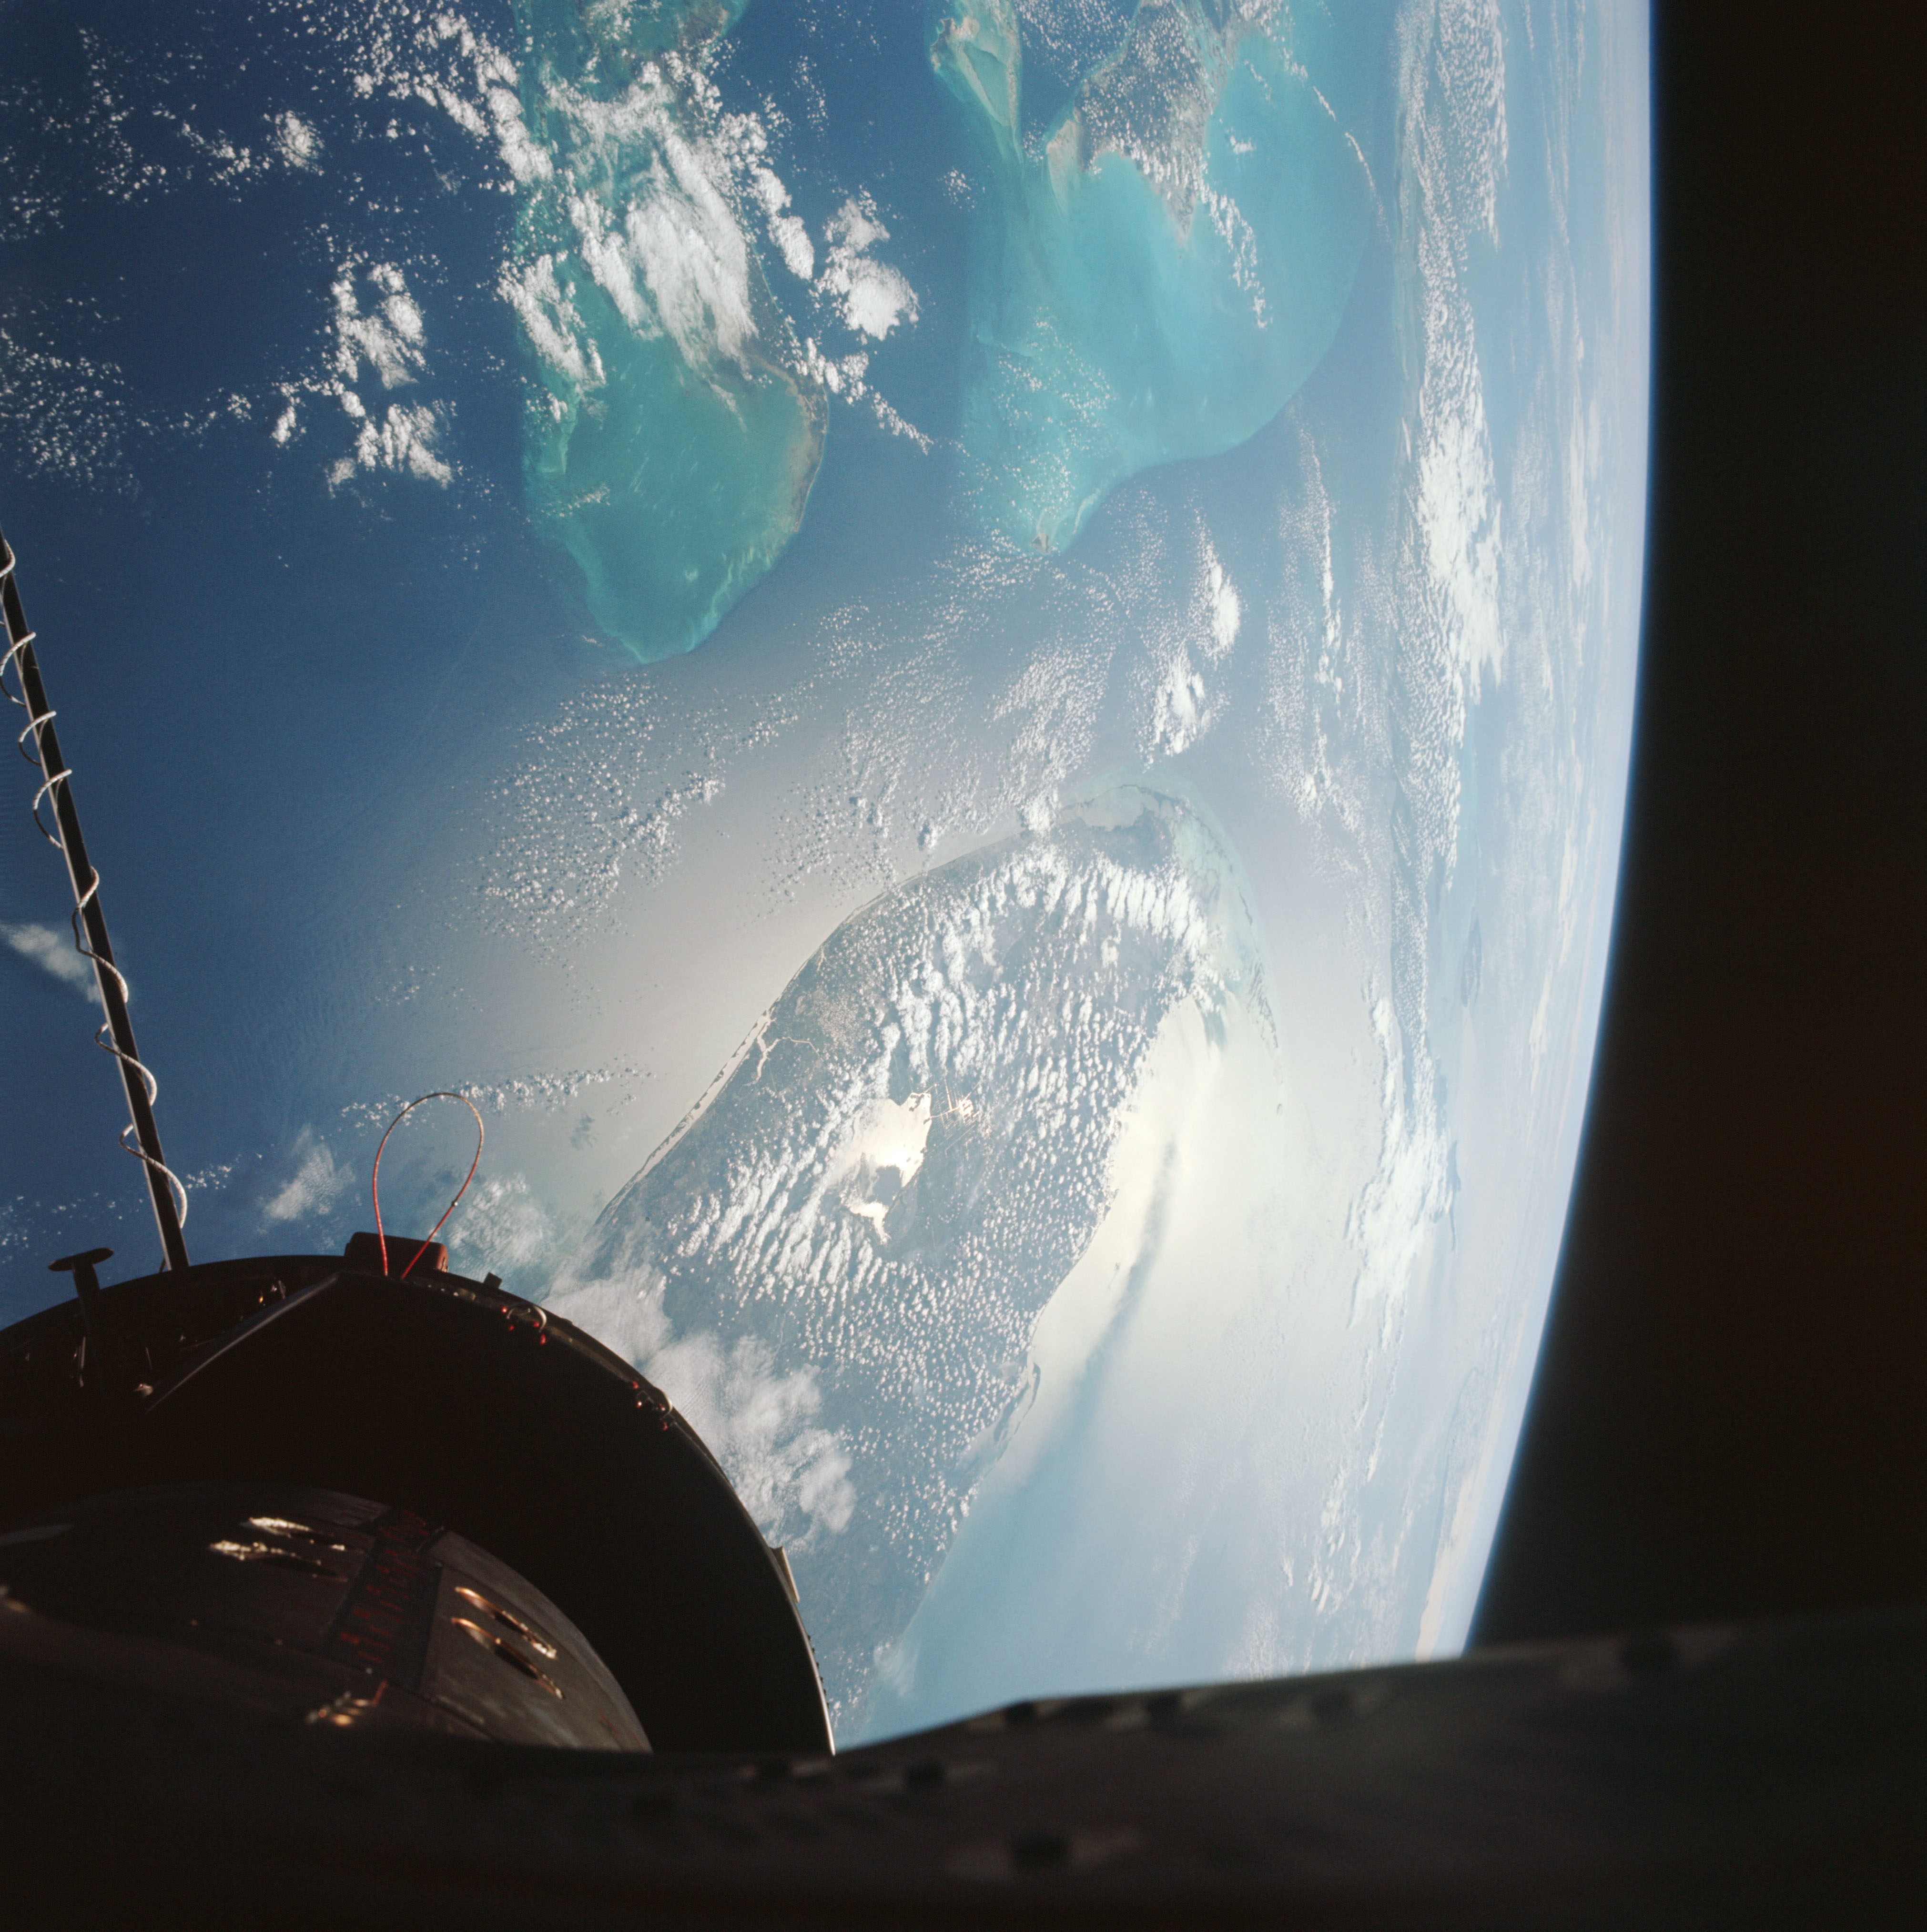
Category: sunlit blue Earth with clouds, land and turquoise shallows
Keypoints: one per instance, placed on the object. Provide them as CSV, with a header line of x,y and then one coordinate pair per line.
x,y
968,664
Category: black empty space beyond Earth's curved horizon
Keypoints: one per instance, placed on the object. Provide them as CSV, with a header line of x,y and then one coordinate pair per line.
x,y
1733,1402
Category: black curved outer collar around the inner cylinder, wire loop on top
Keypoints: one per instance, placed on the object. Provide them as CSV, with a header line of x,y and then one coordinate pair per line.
x,y
468,1407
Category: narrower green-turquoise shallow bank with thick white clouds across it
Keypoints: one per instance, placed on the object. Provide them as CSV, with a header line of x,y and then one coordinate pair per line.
x,y
673,434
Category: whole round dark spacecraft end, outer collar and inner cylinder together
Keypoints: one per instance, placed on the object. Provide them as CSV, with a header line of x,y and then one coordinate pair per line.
x,y
238,1483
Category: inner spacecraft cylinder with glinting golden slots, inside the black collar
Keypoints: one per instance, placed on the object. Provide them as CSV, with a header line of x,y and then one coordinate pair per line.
x,y
293,1608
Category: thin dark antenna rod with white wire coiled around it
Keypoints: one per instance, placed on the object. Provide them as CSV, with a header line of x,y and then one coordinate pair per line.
x,y
90,924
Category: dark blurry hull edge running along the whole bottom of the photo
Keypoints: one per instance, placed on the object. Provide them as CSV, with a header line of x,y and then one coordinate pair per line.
x,y
1698,1778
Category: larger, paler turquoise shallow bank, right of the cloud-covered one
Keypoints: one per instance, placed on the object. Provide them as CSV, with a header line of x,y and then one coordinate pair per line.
x,y
1159,275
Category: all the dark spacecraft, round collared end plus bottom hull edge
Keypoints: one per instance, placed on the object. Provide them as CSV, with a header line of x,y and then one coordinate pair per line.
x,y
331,1595
